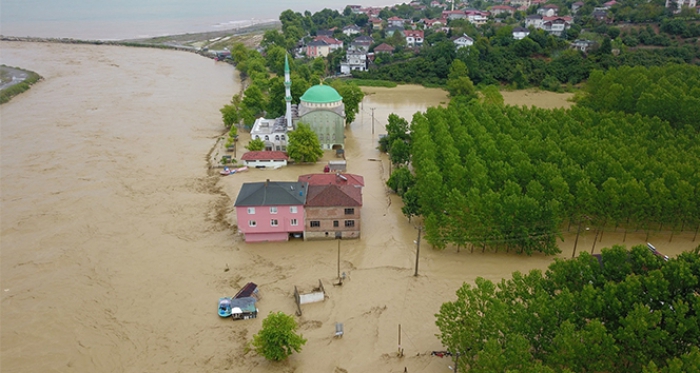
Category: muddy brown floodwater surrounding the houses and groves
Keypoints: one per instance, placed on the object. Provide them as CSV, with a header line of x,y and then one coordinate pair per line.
x,y
117,239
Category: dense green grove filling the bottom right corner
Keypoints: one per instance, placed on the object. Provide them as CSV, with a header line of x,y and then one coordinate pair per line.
x,y
626,311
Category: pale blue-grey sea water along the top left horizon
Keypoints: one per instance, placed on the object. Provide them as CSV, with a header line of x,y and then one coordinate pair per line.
x,y
132,19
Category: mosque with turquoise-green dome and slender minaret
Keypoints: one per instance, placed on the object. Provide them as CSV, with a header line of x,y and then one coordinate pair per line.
x,y
321,107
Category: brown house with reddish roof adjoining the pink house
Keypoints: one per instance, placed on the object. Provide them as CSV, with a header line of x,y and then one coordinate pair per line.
x,y
333,206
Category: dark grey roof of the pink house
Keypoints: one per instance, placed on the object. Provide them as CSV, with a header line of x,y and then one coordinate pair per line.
x,y
272,193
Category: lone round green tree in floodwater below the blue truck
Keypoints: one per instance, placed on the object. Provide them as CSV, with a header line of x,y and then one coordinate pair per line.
x,y
278,338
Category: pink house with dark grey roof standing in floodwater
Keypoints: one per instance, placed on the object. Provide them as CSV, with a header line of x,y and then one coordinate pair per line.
x,y
271,210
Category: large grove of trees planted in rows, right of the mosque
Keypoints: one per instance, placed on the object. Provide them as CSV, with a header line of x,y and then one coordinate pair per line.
x,y
504,177
